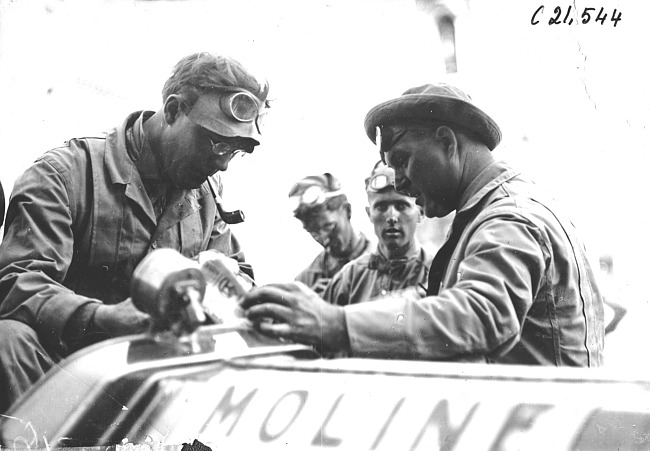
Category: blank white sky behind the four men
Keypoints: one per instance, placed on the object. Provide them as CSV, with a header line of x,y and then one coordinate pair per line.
x,y
572,101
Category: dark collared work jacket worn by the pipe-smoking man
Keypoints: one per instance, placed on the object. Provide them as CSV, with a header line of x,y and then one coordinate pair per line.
x,y
78,222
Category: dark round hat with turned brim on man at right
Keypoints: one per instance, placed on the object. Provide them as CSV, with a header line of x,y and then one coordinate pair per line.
x,y
440,102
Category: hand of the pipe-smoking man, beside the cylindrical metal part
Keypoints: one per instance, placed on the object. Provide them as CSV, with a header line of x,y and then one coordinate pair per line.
x,y
121,319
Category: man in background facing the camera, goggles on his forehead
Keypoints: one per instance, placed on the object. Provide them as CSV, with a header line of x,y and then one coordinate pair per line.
x,y
399,262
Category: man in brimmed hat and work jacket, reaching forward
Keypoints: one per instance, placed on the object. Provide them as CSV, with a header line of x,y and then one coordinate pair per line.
x,y
511,284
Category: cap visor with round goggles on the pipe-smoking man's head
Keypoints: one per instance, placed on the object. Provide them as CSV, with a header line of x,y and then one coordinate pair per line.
x,y
229,111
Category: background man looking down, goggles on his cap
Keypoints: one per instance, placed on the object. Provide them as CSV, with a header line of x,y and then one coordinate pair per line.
x,y
324,211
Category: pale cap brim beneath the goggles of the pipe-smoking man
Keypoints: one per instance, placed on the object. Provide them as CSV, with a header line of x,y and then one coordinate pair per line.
x,y
207,113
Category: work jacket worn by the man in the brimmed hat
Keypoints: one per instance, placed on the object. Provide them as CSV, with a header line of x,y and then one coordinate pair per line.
x,y
513,285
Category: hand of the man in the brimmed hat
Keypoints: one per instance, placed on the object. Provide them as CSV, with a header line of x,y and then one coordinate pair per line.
x,y
295,312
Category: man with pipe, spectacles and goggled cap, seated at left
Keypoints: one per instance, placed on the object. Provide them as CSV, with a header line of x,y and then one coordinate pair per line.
x,y
85,214
